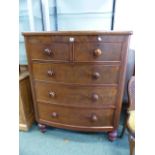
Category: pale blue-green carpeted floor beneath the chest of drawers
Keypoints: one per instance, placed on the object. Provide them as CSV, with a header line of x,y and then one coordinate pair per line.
x,y
63,142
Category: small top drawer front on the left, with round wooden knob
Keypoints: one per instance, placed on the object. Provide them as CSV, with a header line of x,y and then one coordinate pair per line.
x,y
47,48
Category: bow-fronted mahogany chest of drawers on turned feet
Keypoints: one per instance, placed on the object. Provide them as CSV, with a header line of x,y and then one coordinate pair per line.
x,y
77,78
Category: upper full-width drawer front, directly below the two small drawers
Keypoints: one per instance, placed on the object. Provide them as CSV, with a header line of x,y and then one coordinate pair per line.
x,y
76,73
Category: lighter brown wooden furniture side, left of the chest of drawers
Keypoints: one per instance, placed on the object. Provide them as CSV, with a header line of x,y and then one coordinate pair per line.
x,y
26,113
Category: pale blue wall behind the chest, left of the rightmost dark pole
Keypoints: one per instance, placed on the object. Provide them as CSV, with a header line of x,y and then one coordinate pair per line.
x,y
71,15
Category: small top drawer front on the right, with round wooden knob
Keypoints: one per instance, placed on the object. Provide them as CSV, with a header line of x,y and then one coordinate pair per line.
x,y
91,51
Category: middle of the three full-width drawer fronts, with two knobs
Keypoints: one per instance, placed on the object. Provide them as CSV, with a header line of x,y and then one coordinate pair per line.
x,y
75,95
